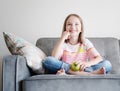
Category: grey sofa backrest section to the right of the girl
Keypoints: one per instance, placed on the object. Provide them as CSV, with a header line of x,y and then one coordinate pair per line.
x,y
109,49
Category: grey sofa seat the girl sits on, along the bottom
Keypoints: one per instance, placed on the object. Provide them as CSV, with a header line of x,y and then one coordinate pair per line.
x,y
72,83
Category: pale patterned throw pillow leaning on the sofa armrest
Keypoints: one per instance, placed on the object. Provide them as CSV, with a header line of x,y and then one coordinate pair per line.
x,y
19,46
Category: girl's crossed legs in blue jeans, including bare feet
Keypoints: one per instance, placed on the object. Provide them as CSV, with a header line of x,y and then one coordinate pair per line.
x,y
56,66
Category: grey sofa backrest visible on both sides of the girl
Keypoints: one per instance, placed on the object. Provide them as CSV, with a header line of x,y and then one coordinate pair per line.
x,y
108,48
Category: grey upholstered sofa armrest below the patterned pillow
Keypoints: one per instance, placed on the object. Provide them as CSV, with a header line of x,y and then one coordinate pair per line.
x,y
14,71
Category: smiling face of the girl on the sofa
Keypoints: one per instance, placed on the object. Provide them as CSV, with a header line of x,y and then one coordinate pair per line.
x,y
73,25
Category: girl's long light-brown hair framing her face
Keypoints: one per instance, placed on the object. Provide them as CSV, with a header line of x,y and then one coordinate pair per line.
x,y
81,35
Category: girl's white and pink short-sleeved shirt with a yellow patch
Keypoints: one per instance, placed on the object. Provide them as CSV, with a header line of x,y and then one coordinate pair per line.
x,y
77,52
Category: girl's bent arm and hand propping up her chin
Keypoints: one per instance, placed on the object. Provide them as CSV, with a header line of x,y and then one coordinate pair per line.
x,y
58,50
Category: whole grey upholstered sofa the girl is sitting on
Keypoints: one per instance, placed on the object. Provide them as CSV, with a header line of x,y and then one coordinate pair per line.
x,y
18,77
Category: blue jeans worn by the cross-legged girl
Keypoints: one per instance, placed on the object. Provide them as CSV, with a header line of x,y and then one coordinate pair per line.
x,y
52,65
